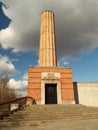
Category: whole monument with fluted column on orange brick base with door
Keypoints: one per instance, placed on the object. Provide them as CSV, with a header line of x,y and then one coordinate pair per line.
x,y
48,83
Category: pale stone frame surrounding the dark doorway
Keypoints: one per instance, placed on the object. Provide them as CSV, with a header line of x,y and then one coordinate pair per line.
x,y
43,82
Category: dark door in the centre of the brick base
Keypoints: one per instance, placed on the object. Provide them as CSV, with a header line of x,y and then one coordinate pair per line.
x,y
50,93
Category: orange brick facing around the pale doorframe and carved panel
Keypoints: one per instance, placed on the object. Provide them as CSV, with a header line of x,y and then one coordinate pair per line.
x,y
34,81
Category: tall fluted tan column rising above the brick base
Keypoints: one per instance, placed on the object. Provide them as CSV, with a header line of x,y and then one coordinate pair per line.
x,y
47,52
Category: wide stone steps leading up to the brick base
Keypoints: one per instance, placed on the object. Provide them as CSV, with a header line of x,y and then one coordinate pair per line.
x,y
37,114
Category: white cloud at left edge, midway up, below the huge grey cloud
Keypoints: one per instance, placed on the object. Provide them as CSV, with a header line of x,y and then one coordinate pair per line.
x,y
6,66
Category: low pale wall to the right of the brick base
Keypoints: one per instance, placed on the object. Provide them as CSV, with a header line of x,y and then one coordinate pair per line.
x,y
86,93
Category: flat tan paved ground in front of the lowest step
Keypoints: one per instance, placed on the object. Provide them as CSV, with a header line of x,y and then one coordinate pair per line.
x,y
60,125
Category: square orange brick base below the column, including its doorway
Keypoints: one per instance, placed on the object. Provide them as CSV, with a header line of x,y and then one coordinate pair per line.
x,y
53,85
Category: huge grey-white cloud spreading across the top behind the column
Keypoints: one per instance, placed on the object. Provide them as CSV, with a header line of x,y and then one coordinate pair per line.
x,y
76,25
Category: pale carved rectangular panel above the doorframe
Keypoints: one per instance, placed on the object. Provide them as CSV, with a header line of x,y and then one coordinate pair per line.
x,y
50,75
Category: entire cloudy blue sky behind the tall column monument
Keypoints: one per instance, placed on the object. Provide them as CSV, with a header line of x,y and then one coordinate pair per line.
x,y
76,23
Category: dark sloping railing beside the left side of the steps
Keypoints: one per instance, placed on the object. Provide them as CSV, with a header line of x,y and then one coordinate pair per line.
x,y
5,107
